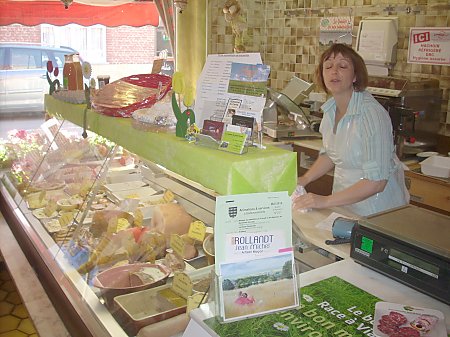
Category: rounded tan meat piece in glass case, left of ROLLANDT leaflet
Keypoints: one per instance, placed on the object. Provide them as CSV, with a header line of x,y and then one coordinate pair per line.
x,y
171,219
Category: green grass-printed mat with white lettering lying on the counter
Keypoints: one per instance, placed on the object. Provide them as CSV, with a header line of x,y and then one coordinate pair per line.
x,y
331,307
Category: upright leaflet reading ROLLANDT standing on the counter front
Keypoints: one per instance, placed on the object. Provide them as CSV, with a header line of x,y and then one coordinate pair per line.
x,y
254,257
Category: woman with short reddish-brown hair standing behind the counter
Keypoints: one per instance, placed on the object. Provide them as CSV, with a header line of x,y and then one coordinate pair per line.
x,y
357,142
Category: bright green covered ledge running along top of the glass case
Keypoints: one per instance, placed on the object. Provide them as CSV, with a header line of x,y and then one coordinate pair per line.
x,y
258,170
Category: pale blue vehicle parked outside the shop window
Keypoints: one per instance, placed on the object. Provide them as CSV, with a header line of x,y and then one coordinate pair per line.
x,y
23,81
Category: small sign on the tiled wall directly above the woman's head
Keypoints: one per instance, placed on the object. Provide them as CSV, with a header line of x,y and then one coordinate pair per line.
x,y
336,29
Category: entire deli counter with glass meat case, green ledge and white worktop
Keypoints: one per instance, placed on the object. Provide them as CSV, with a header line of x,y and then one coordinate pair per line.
x,y
72,197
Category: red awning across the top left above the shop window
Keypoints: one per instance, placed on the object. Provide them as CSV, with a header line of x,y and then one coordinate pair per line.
x,y
53,12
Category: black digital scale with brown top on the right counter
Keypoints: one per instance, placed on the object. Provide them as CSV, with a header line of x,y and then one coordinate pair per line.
x,y
409,244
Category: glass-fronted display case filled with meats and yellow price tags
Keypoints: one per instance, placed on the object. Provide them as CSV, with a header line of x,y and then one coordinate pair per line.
x,y
96,221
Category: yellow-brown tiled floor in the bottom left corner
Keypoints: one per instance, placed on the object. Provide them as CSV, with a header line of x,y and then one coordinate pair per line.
x,y
14,318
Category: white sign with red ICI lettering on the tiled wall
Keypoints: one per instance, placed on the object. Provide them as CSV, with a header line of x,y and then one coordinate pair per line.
x,y
429,46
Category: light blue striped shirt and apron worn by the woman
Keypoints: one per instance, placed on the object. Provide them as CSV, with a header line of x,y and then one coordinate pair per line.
x,y
363,148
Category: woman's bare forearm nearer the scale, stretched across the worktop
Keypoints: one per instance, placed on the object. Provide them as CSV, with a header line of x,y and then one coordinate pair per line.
x,y
357,192
